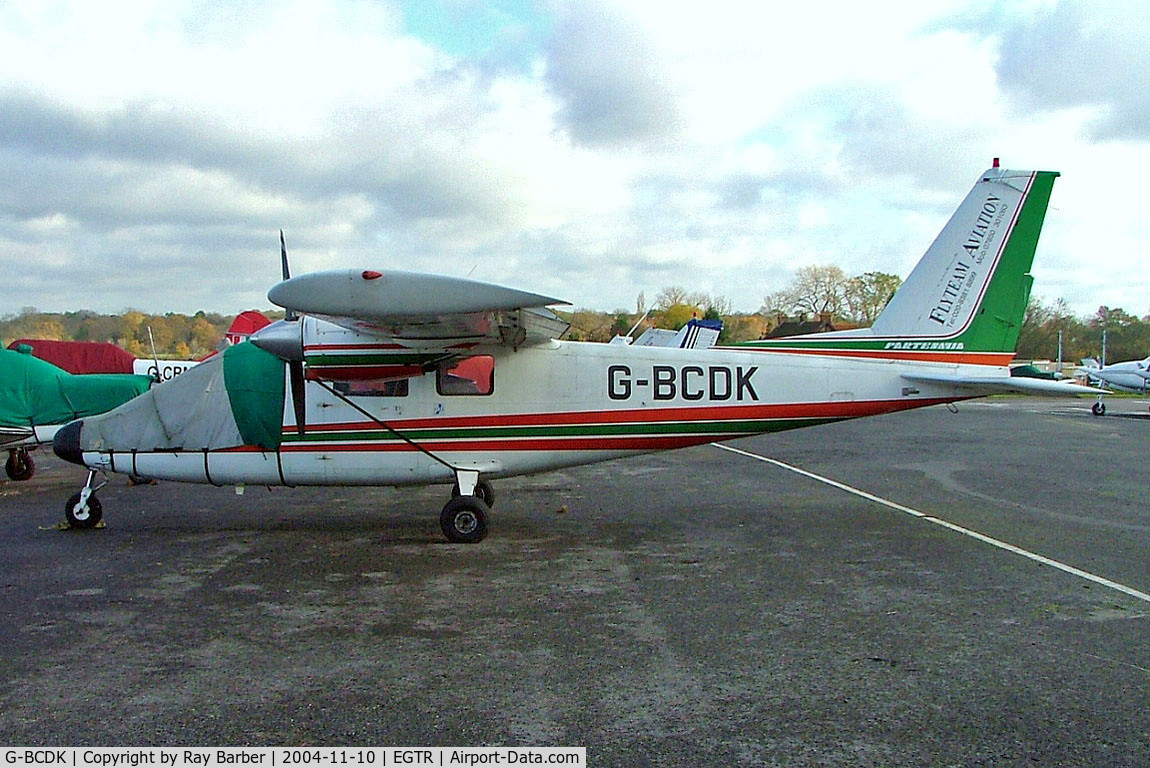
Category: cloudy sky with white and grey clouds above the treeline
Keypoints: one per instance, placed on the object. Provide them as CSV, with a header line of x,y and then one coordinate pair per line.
x,y
150,152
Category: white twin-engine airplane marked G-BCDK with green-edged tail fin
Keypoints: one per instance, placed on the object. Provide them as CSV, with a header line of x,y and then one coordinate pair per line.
x,y
381,378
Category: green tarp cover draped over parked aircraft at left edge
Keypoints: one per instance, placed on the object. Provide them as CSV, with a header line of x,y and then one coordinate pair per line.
x,y
37,394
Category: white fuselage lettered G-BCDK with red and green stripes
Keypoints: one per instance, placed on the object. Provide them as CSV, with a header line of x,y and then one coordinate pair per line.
x,y
549,406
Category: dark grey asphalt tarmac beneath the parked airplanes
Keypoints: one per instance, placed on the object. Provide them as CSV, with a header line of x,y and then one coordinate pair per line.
x,y
687,609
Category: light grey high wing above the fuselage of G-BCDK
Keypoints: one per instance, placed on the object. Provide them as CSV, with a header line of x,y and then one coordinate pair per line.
x,y
426,310
